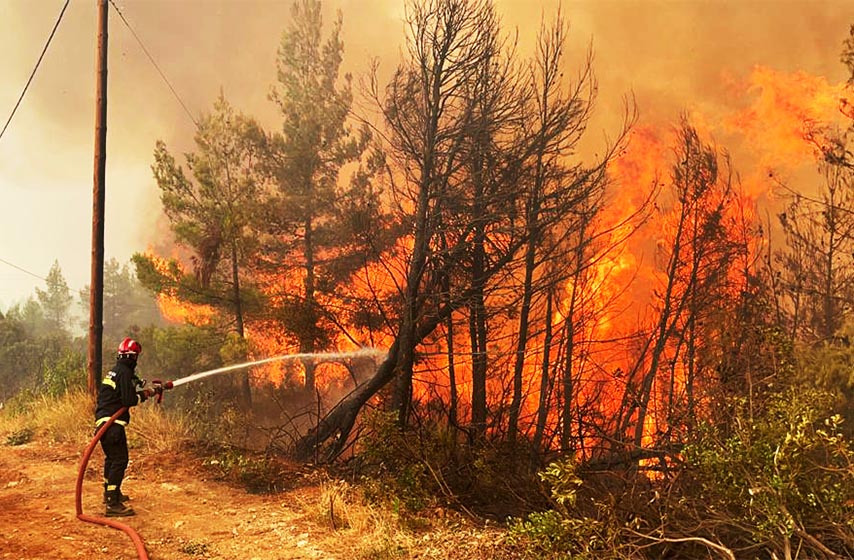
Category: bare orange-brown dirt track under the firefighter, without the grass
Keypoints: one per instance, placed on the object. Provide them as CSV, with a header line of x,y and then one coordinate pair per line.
x,y
179,514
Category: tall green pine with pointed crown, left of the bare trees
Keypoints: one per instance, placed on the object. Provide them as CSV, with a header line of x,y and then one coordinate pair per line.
x,y
314,238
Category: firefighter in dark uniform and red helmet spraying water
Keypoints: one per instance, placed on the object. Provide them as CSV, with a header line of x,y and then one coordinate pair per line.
x,y
120,388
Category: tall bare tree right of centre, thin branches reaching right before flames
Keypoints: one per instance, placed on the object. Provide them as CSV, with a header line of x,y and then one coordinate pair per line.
x,y
563,198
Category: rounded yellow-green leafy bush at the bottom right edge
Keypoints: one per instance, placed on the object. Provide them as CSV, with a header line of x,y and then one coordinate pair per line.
x,y
773,474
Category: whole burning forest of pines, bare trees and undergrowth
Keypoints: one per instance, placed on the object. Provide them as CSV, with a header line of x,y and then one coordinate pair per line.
x,y
619,354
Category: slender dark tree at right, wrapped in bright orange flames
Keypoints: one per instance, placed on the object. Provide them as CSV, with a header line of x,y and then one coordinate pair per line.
x,y
703,241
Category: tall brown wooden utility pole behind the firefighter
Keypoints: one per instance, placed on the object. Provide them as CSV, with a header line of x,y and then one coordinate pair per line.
x,y
96,288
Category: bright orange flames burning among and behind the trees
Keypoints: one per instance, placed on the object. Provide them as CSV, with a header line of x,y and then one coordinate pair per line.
x,y
618,289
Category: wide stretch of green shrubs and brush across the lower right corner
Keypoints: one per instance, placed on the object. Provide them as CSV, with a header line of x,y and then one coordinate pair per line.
x,y
770,477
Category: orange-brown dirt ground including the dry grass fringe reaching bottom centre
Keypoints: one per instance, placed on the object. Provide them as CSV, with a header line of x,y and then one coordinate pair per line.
x,y
183,512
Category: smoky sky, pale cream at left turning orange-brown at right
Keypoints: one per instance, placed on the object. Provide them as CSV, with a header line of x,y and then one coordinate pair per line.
x,y
703,57
